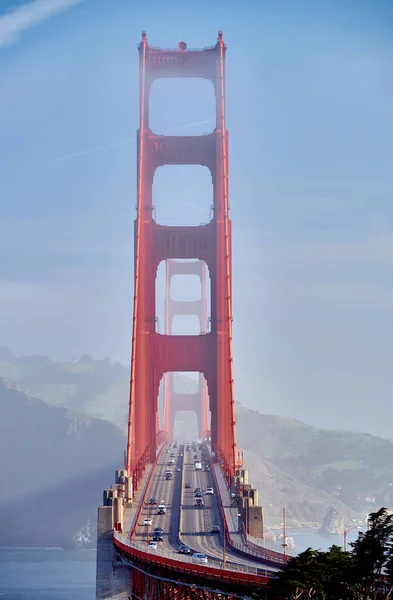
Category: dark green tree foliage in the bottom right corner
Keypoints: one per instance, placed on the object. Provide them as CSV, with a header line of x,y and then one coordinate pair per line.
x,y
364,573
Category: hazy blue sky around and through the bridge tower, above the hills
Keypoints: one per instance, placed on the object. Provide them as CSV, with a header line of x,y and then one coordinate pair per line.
x,y
309,113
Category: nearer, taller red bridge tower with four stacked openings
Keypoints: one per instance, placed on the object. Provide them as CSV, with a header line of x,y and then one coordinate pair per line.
x,y
210,353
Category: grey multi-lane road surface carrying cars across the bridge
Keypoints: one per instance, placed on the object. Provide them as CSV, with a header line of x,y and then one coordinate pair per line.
x,y
183,522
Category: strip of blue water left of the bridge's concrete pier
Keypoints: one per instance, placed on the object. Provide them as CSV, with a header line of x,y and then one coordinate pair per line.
x,y
47,574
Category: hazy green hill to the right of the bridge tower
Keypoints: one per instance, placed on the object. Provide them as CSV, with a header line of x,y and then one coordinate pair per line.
x,y
351,467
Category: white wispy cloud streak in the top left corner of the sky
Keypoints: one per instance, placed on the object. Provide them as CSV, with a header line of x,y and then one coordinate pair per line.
x,y
25,16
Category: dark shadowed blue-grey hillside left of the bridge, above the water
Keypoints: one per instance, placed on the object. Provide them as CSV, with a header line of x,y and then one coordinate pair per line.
x,y
54,466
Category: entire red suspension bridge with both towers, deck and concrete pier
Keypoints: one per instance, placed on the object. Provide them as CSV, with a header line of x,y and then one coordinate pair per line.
x,y
182,521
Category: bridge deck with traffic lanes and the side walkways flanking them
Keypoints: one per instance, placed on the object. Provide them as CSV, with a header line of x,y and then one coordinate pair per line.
x,y
184,523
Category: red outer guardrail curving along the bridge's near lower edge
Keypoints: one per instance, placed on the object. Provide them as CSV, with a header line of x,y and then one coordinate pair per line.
x,y
189,569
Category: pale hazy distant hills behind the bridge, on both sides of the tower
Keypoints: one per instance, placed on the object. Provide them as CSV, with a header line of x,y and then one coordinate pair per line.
x,y
293,464
